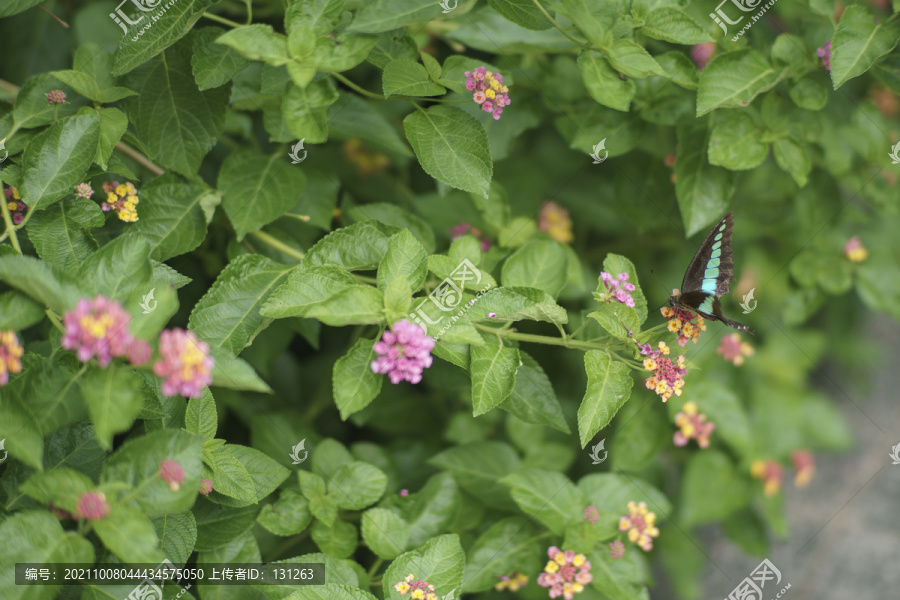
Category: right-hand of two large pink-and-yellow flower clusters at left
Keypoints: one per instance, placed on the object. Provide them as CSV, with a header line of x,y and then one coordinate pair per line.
x,y
185,364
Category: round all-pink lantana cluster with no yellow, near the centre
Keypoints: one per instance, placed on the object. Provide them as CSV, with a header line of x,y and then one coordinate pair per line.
x,y
404,351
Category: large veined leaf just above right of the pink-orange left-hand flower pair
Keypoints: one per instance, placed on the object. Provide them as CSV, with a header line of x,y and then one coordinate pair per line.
x,y
227,316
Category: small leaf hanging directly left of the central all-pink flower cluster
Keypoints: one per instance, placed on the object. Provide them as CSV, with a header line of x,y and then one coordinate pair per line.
x,y
354,383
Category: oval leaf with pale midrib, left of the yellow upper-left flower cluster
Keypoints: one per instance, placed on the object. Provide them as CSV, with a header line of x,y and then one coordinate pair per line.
x,y
56,160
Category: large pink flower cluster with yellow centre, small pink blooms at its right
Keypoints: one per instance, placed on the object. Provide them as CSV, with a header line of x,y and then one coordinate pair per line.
x,y
99,327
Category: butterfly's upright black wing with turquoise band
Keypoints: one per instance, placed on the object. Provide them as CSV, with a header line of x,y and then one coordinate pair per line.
x,y
712,268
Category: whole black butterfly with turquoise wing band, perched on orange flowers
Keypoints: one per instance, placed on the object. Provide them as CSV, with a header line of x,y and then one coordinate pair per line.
x,y
709,275
